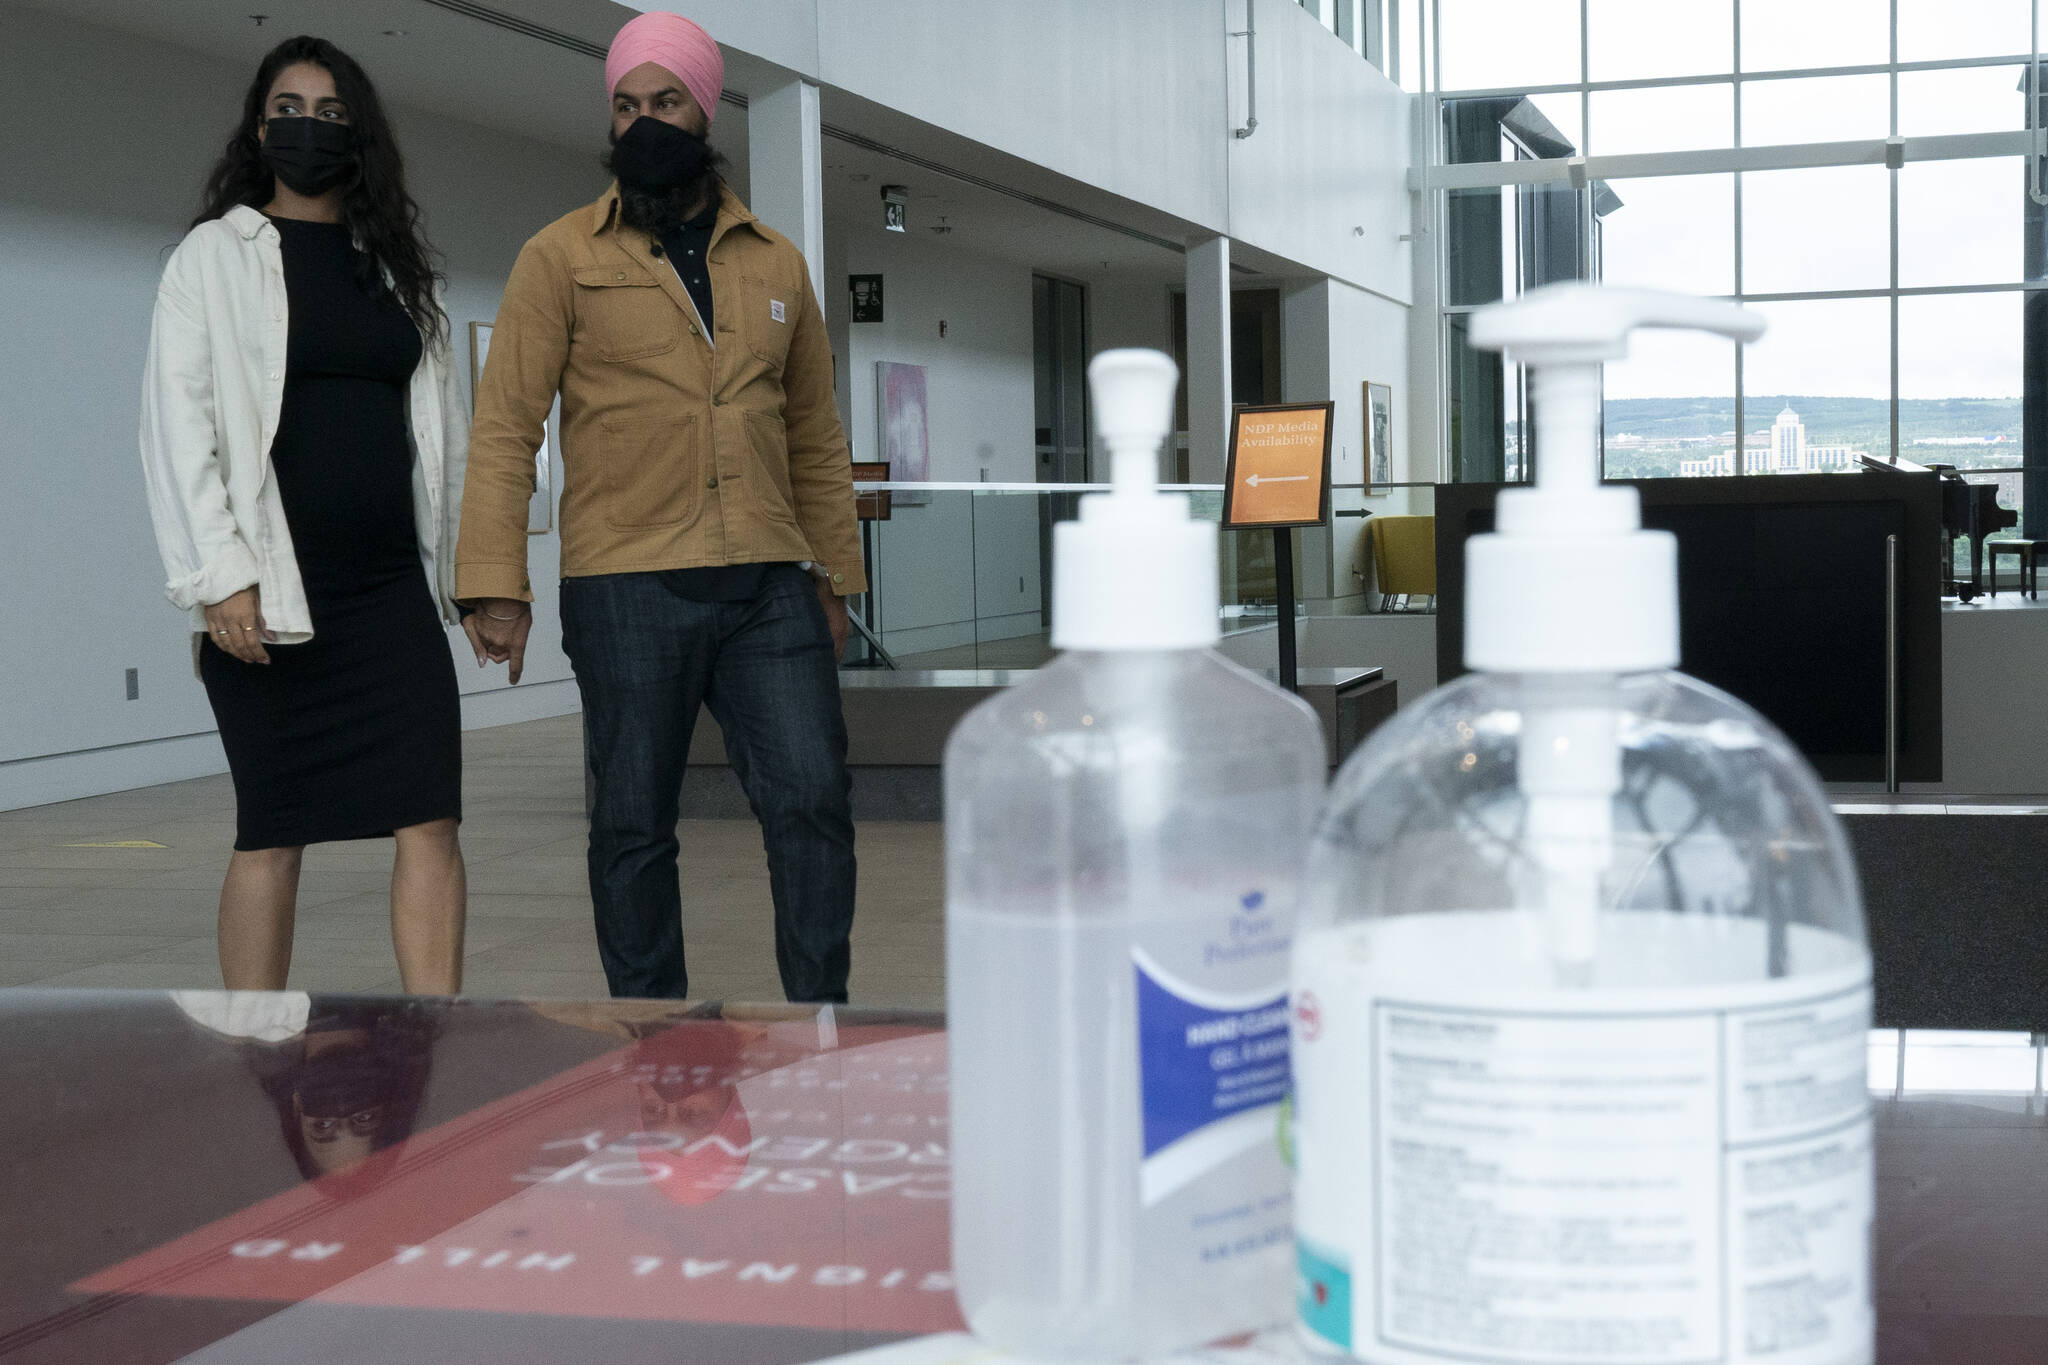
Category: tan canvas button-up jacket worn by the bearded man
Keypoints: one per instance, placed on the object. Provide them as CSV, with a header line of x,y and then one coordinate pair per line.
x,y
679,451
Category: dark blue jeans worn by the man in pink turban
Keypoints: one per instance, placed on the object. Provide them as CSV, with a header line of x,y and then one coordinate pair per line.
x,y
644,660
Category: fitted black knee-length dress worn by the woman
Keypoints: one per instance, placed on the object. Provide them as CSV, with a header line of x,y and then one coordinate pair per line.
x,y
357,732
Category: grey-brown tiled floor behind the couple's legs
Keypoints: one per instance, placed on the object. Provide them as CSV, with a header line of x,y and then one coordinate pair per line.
x,y
144,916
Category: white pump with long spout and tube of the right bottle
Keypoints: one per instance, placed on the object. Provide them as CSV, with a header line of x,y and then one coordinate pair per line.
x,y
1574,590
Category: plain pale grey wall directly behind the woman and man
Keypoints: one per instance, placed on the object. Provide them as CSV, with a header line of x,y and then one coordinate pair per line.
x,y
93,195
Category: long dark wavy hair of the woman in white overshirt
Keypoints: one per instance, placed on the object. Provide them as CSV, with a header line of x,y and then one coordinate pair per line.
x,y
376,206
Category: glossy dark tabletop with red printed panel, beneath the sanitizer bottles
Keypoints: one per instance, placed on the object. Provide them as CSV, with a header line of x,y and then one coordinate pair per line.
x,y
374,1180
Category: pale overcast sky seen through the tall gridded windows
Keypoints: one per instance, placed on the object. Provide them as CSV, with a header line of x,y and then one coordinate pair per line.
x,y
1803,230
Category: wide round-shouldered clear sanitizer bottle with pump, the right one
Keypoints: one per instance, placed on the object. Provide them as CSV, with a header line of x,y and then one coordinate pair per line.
x,y
1582,989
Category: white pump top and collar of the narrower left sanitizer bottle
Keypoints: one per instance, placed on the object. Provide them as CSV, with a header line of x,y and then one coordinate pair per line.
x,y
1136,572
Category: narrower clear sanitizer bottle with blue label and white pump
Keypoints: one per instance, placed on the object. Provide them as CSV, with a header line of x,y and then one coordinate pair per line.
x,y
1125,836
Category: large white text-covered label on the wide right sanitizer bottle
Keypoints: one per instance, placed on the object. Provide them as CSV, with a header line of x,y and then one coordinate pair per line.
x,y
1533,1184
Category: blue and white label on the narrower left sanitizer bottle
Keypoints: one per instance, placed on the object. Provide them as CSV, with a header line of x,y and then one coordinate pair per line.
x,y
1211,1071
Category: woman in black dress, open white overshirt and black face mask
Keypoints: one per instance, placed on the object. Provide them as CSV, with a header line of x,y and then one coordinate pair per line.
x,y
304,445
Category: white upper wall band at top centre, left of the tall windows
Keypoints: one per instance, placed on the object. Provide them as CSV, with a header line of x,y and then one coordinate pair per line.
x,y
1138,99
